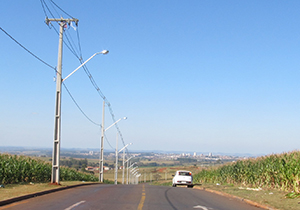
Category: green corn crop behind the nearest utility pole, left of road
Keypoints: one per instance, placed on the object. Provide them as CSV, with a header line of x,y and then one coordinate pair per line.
x,y
20,169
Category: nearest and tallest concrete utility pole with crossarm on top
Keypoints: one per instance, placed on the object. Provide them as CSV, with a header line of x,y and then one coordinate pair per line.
x,y
57,123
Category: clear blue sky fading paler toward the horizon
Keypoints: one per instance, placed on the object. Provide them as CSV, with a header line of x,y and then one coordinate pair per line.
x,y
197,75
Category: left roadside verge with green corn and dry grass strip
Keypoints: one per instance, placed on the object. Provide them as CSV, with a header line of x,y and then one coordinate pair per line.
x,y
20,175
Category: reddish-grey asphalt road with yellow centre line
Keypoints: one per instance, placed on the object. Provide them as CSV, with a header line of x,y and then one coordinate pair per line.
x,y
142,196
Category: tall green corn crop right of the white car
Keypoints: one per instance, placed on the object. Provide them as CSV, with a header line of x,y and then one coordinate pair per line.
x,y
280,171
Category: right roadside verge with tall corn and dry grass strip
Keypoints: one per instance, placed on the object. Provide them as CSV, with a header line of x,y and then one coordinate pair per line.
x,y
271,180
